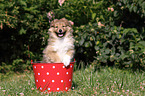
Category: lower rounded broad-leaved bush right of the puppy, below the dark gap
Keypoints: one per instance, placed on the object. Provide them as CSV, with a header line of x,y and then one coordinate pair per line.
x,y
111,45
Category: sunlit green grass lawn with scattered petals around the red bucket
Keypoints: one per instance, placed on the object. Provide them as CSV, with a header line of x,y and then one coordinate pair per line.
x,y
86,82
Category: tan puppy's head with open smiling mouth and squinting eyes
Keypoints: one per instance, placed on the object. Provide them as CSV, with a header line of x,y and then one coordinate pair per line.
x,y
60,28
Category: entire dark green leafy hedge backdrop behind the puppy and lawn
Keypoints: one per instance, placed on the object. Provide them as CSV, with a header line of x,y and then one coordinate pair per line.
x,y
106,32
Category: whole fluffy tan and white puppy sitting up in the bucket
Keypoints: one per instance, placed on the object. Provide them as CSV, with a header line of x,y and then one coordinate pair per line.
x,y
60,46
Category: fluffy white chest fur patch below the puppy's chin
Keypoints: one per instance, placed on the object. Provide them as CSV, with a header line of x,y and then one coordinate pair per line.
x,y
61,46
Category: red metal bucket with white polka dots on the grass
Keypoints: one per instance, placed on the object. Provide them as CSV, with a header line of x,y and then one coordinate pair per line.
x,y
53,77
